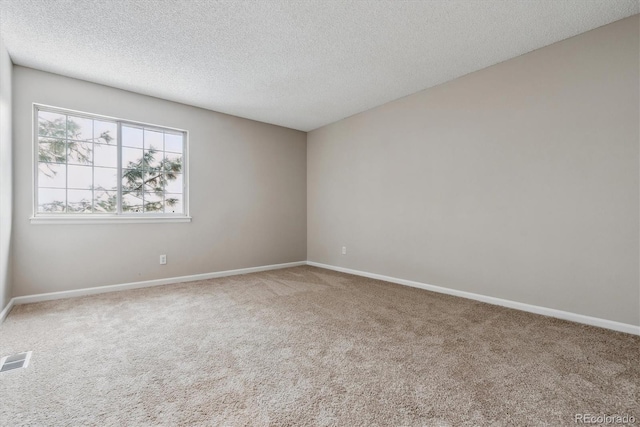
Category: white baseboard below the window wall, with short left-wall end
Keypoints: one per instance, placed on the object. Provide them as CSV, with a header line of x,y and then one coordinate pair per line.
x,y
143,284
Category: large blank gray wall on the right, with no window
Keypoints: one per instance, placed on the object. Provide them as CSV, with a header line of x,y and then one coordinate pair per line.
x,y
519,181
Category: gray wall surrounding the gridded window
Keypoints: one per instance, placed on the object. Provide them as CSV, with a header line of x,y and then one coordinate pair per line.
x,y
247,196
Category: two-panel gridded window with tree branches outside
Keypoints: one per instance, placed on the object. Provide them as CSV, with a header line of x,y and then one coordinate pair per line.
x,y
94,167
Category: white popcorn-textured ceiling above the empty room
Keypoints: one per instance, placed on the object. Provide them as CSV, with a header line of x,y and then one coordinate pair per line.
x,y
300,64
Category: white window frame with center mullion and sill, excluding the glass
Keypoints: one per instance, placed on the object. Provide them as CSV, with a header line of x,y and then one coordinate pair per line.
x,y
119,216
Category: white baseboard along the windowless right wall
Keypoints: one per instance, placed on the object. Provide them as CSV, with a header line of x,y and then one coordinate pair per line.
x,y
578,318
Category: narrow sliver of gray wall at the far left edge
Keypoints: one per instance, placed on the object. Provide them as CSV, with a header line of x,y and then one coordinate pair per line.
x,y
5,176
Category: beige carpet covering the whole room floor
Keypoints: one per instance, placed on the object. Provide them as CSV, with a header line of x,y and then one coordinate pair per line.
x,y
306,346
